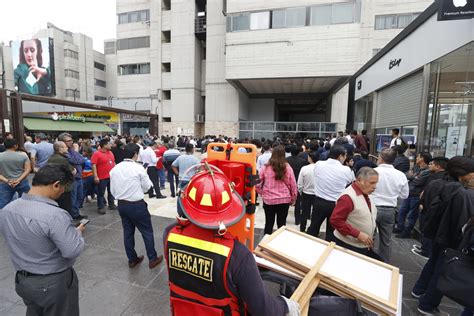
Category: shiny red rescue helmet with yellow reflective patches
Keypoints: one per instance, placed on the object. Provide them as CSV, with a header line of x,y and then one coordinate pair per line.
x,y
209,200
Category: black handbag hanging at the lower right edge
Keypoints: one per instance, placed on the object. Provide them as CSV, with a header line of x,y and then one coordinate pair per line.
x,y
457,277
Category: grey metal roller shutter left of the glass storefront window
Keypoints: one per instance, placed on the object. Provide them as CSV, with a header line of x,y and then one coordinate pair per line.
x,y
399,104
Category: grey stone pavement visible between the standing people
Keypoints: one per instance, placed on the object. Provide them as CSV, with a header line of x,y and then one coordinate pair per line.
x,y
108,287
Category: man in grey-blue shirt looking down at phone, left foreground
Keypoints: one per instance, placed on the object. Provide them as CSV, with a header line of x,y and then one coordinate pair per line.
x,y
44,245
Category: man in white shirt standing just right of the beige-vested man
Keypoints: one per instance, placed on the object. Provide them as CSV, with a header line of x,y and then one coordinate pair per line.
x,y
392,185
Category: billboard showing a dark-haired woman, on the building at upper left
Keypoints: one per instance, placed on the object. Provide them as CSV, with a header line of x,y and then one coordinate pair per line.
x,y
33,62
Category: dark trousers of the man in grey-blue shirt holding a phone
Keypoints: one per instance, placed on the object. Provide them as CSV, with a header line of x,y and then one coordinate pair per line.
x,y
53,294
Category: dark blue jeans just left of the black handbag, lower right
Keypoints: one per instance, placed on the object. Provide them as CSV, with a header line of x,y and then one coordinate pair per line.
x,y
426,284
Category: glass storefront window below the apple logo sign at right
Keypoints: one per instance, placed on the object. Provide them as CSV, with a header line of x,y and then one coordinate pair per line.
x,y
449,115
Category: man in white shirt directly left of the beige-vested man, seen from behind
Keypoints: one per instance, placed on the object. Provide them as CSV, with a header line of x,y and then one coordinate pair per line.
x,y
331,178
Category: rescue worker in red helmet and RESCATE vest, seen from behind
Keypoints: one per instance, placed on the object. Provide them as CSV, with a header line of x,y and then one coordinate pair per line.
x,y
210,271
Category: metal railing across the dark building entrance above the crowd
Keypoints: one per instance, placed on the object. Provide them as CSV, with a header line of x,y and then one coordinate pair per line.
x,y
258,129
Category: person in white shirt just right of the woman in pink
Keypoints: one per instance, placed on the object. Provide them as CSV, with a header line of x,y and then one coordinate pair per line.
x,y
306,189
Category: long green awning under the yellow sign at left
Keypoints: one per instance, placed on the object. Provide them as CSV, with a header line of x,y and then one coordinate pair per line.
x,y
38,124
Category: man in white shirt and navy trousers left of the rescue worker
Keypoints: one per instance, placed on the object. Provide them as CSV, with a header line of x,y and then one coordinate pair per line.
x,y
128,181
